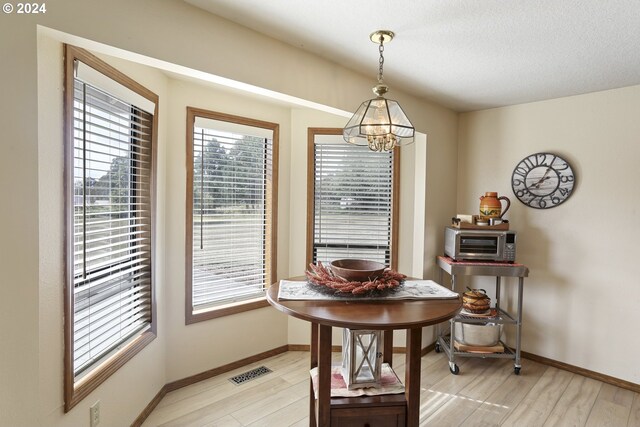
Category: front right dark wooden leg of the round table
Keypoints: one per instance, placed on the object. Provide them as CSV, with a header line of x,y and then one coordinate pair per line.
x,y
412,376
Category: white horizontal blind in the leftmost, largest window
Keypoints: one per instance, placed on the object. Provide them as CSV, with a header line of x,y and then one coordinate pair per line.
x,y
111,224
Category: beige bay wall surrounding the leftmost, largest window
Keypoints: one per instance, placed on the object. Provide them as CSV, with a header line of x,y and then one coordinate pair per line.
x,y
147,368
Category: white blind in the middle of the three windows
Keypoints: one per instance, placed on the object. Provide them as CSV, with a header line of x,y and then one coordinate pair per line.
x,y
232,168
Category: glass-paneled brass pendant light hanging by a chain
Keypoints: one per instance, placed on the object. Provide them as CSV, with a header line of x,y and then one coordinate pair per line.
x,y
379,123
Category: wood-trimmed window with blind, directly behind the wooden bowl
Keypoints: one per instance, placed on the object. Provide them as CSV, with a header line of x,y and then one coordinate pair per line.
x,y
352,200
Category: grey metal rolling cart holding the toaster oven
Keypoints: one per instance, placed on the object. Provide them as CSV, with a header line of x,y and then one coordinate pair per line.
x,y
482,268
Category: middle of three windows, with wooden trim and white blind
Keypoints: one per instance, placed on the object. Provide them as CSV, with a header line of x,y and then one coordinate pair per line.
x,y
231,211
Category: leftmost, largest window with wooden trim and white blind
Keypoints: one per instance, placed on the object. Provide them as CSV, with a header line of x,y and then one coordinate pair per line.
x,y
109,168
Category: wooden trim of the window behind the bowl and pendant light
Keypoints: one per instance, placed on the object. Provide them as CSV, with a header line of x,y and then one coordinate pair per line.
x,y
395,195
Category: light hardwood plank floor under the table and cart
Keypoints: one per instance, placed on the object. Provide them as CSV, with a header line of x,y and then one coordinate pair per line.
x,y
485,393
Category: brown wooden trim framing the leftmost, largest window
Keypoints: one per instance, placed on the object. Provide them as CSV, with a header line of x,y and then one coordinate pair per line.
x,y
75,392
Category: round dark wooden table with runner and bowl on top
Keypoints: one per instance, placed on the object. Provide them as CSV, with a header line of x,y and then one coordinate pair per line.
x,y
385,315
